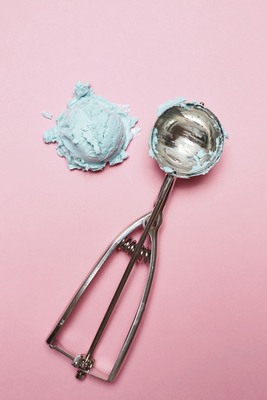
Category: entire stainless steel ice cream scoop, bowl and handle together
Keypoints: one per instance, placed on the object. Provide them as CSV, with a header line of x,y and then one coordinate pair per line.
x,y
186,141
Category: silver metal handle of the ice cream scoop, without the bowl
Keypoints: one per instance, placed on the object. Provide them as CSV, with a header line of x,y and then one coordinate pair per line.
x,y
151,223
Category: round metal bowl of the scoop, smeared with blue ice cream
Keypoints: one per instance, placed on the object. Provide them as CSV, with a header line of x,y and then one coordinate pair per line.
x,y
187,140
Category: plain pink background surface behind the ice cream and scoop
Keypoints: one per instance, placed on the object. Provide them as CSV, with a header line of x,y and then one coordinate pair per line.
x,y
203,335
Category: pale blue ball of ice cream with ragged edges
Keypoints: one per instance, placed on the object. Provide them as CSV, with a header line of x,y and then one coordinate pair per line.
x,y
92,131
